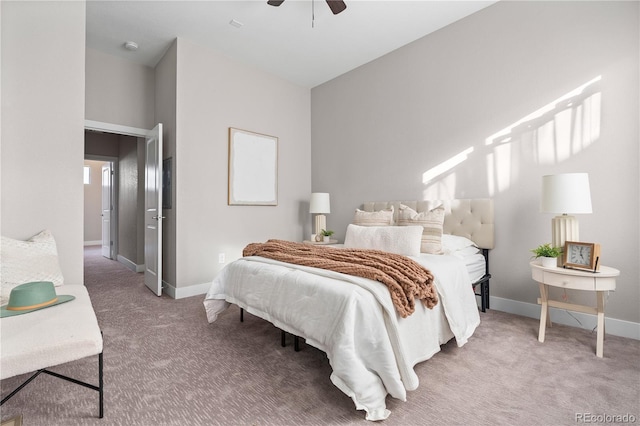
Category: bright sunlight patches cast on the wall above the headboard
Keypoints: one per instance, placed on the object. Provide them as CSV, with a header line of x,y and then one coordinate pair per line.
x,y
550,135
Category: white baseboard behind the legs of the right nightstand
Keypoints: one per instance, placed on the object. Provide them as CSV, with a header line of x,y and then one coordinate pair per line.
x,y
613,326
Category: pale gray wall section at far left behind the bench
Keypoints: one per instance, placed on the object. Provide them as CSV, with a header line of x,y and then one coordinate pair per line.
x,y
42,87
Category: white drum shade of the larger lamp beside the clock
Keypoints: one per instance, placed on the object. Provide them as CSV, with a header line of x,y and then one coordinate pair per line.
x,y
567,193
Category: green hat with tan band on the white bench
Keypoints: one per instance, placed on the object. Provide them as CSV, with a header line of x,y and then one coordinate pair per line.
x,y
32,296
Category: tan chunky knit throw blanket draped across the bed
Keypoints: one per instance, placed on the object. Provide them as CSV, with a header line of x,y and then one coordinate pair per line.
x,y
406,279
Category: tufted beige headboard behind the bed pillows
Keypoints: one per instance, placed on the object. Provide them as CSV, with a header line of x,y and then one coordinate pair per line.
x,y
470,218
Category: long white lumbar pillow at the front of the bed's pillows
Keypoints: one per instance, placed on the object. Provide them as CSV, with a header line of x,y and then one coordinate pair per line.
x,y
404,240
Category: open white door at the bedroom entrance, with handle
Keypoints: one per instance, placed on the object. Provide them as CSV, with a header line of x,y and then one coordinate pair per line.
x,y
153,211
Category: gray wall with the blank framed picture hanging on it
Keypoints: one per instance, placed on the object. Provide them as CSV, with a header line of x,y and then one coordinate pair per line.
x,y
214,93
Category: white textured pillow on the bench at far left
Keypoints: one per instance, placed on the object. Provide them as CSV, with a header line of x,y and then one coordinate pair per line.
x,y
25,261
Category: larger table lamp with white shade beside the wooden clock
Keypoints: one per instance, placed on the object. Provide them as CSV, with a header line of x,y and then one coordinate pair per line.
x,y
566,194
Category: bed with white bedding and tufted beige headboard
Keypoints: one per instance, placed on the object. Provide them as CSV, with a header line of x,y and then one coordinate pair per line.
x,y
372,349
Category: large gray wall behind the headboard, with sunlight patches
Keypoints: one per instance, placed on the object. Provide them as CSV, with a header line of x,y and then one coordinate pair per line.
x,y
379,128
